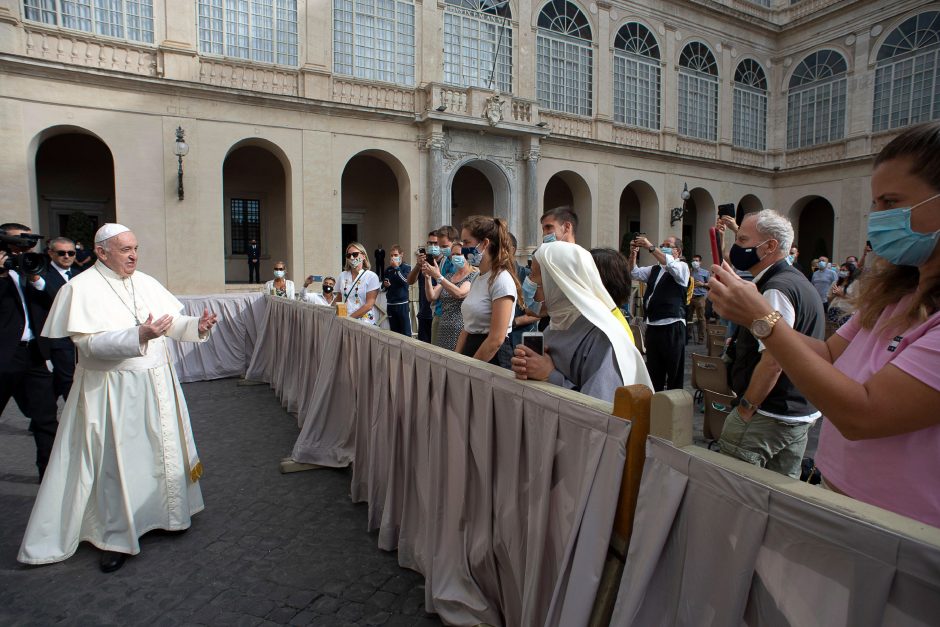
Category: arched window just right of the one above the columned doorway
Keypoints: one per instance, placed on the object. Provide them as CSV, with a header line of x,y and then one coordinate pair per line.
x,y
564,59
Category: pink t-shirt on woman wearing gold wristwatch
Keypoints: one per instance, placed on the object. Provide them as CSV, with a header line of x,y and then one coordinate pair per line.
x,y
900,473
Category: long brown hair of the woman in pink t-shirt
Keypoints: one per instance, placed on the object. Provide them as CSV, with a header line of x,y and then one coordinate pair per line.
x,y
883,283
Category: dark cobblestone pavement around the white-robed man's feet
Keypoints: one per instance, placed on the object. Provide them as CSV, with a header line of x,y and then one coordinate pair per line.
x,y
268,549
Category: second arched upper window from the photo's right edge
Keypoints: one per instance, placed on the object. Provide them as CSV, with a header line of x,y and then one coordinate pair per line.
x,y
816,100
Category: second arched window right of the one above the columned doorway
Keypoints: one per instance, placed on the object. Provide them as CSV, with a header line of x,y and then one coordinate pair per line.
x,y
636,77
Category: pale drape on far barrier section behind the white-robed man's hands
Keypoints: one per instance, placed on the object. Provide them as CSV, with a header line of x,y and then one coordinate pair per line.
x,y
233,337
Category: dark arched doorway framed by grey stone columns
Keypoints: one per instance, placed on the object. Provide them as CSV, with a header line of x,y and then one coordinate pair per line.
x,y
479,187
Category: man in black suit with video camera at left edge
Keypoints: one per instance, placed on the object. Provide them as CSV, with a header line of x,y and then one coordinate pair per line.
x,y
24,305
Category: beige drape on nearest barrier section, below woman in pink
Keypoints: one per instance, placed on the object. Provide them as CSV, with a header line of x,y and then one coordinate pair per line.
x,y
713,547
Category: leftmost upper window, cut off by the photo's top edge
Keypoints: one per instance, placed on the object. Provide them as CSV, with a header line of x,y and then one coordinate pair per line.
x,y
132,21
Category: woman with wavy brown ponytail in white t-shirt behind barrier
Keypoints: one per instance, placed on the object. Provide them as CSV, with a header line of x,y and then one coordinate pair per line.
x,y
489,306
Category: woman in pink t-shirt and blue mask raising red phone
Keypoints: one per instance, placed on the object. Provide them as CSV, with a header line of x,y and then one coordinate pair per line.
x,y
877,379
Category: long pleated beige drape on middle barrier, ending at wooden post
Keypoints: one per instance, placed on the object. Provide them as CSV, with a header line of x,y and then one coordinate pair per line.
x,y
501,492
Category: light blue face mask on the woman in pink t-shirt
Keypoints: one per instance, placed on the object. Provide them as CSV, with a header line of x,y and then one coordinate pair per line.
x,y
891,236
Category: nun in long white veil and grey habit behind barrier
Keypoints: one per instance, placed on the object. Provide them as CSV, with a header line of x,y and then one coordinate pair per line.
x,y
587,348
